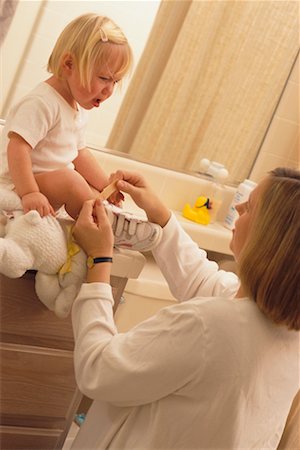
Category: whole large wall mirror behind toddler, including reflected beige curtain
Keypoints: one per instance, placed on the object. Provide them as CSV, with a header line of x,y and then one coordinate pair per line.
x,y
207,81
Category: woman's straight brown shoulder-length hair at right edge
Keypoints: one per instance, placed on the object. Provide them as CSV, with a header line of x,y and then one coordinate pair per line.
x,y
269,264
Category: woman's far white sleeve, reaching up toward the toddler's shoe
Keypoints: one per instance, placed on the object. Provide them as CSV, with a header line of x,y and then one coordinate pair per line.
x,y
186,268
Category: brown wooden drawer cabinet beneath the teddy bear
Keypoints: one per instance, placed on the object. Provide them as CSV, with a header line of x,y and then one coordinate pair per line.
x,y
39,396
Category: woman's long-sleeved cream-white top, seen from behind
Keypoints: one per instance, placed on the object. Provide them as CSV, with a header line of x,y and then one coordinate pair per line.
x,y
211,372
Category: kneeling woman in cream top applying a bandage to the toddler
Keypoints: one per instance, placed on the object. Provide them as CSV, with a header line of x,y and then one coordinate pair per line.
x,y
219,369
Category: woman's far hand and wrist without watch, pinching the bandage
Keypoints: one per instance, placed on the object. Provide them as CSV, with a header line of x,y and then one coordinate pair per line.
x,y
136,186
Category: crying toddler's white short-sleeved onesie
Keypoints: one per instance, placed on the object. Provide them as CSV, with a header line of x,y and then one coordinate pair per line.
x,y
53,129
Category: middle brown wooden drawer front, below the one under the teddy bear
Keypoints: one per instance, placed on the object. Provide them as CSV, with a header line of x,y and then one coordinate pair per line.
x,y
38,386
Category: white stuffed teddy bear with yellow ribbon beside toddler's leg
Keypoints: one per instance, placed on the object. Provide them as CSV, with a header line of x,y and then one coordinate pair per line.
x,y
30,242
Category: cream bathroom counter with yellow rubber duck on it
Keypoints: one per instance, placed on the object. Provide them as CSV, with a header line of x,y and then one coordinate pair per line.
x,y
176,189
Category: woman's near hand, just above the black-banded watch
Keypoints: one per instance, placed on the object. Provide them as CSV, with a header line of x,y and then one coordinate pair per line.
x,y
93,231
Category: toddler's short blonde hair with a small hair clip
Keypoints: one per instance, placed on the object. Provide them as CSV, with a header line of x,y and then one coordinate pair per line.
x,y
92,40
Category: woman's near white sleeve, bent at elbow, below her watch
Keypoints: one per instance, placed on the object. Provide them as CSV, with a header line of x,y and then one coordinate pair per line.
x,y
150,361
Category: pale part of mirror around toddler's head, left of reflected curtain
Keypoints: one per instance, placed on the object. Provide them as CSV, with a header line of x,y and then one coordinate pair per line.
x,y
39,23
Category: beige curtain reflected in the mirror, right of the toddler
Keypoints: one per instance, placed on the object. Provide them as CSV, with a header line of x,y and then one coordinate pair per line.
x,y
208,83
